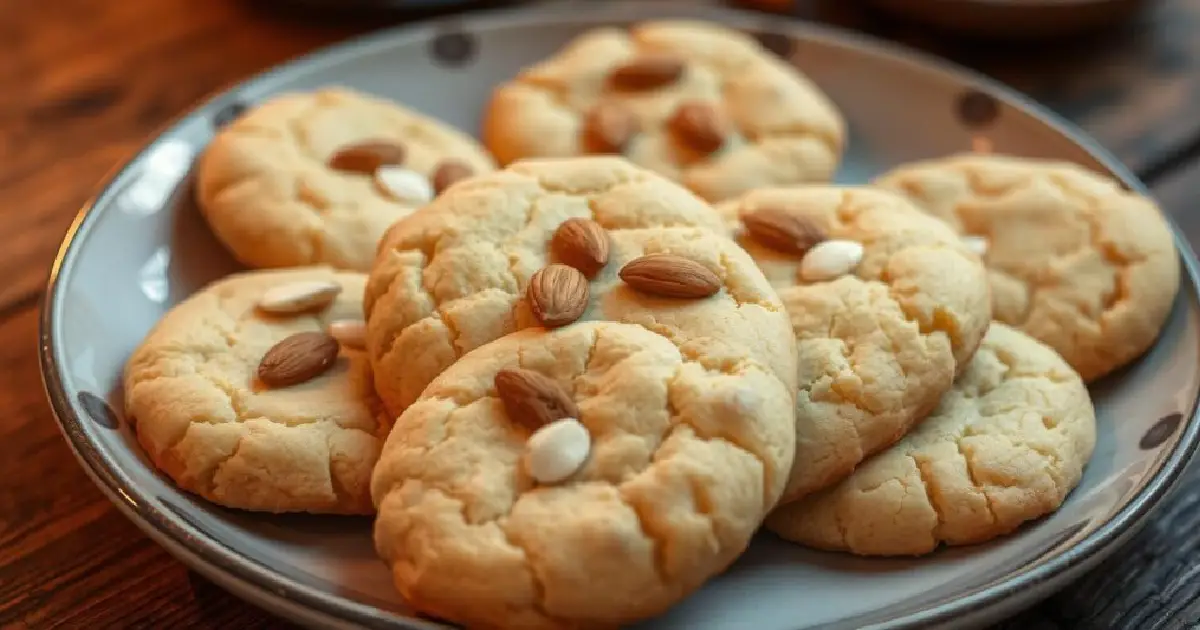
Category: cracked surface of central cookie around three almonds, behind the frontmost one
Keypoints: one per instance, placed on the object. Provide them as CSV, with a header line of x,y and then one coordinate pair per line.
x,y
453,277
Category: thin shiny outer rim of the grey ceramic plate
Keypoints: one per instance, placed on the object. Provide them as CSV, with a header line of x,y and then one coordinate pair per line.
x,y
196,549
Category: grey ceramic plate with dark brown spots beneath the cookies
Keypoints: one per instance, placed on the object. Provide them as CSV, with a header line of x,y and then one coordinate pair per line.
x,y
141,247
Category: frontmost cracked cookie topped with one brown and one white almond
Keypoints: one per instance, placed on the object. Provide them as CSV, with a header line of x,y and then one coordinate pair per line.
x,y
493,519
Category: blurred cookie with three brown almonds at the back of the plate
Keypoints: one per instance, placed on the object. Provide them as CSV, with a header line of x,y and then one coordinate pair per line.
x,y
704,105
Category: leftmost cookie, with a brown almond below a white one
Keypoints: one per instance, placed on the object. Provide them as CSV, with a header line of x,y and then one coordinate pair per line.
x,y
218,431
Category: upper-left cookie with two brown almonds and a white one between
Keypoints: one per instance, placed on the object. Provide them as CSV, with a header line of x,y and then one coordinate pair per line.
x,y
274,194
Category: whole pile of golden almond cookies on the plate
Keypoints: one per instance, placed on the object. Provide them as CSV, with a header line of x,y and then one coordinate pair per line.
x,y
572,375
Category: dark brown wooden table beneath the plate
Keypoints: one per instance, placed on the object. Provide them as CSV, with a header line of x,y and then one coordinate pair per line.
x,y
85,83
